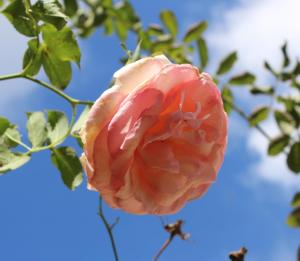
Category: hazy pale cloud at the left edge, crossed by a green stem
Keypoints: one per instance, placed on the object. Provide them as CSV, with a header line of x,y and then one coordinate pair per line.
x,y
14,93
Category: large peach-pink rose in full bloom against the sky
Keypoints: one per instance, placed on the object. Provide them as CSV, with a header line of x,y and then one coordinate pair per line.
x,y
156,139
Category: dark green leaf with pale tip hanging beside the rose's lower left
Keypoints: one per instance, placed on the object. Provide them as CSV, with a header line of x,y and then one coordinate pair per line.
x,y
67,162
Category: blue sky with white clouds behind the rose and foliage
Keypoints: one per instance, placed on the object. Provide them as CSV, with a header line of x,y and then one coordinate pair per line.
x,y
42,220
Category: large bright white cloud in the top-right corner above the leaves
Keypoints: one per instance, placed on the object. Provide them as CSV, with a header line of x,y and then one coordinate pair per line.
x,y
257,29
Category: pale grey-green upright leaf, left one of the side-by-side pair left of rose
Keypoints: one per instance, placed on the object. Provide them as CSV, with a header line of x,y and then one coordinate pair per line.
x,y
37,128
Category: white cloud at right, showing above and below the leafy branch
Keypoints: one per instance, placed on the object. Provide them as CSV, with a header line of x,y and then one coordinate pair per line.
x,y
256,29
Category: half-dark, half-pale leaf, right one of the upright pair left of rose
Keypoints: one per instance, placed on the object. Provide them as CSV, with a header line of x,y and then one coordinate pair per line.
x,y
57,125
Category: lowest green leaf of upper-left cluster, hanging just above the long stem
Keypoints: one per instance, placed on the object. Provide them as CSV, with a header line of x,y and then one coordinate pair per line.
x,y
58,72
